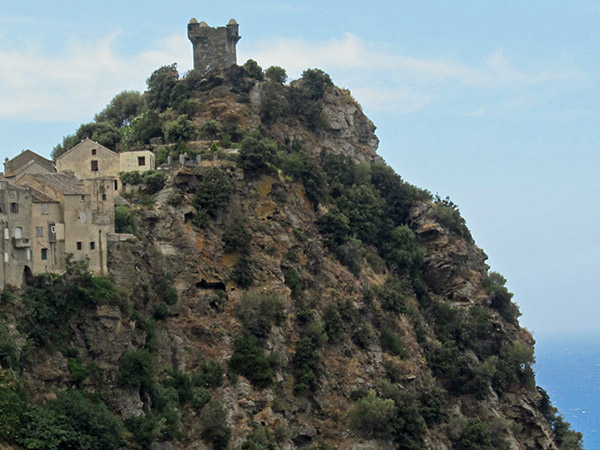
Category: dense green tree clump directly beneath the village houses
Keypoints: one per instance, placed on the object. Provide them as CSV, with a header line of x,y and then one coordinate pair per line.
x,y
48,308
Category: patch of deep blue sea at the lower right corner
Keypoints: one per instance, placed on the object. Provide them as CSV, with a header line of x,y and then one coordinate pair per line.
x,y
568,368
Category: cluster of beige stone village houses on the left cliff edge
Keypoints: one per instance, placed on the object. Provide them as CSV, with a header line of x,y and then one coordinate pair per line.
x,y
45,215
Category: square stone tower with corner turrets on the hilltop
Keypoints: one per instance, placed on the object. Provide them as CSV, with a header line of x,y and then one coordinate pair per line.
x,y
213,47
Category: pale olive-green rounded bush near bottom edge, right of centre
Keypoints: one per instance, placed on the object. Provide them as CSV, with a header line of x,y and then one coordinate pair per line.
x,y
373,416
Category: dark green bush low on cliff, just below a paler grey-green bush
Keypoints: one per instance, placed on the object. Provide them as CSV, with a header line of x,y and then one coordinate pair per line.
x,y
249,359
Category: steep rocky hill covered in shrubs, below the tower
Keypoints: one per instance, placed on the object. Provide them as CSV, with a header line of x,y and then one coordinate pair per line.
x,y
286,289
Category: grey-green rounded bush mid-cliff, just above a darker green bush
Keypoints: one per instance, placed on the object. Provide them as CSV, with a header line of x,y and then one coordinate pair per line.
x,y
259,310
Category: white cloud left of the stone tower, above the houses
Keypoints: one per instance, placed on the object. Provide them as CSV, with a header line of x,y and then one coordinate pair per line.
x,y
78,81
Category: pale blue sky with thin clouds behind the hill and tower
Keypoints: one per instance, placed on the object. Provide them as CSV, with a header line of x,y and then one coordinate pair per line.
x,y
494,103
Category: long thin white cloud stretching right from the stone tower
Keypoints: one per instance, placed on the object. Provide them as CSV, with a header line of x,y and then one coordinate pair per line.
x,y
394,81
